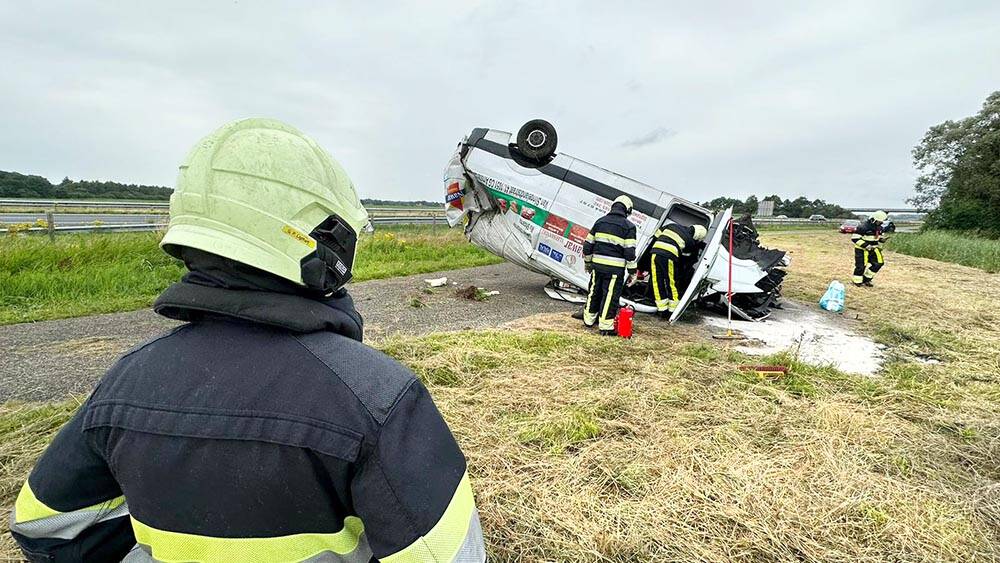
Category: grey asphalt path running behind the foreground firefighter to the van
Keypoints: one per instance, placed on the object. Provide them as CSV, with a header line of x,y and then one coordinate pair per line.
x,y
53,359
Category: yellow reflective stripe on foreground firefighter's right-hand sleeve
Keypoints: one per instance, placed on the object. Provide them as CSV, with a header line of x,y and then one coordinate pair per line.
x,y
447,536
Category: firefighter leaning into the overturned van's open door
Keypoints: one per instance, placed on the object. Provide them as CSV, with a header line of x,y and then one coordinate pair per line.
x,y
672,241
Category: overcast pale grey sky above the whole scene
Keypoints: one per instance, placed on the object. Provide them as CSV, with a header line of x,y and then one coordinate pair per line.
x,y
735,98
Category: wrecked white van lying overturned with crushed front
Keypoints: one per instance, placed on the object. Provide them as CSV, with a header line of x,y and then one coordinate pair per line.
x,y
537,214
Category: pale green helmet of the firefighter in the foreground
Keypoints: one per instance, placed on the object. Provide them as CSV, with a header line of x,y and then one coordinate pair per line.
x,y
261,193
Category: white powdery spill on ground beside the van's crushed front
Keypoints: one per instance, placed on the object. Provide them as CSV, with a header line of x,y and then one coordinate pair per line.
x,y
816,336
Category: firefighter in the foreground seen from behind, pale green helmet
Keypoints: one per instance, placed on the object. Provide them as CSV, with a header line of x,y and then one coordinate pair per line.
x,y
261,429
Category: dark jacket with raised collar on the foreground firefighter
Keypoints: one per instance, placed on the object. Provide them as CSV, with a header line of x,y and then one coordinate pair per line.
x,y
260,430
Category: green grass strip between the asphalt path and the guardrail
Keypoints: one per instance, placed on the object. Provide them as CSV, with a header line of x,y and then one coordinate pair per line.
x,y
87,274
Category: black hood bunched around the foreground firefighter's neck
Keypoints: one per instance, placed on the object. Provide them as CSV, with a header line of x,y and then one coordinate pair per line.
x,y
218,287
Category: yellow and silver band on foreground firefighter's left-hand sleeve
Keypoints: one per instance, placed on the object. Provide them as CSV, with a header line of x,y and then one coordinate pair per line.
x,y
32,518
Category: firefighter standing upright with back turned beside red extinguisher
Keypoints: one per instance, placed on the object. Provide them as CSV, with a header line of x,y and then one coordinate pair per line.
x,y
609,256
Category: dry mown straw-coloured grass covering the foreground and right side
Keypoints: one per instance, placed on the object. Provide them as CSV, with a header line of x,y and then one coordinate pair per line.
x,y
583,448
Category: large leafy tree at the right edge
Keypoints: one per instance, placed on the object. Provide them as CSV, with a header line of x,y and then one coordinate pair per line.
x,y
959,164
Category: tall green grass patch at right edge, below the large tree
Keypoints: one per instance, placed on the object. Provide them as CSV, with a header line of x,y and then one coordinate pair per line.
x,y
960,248
